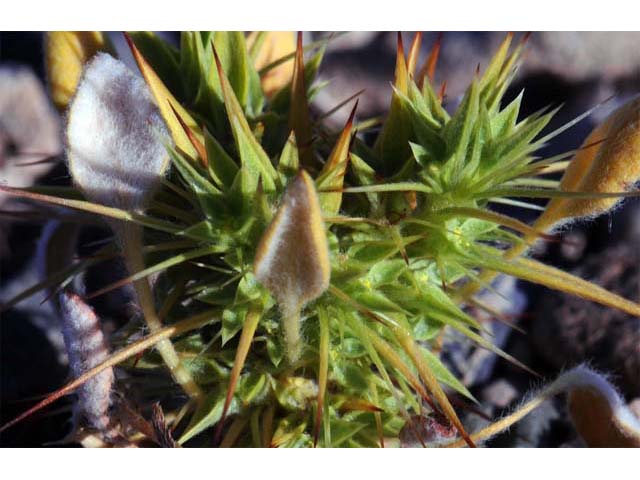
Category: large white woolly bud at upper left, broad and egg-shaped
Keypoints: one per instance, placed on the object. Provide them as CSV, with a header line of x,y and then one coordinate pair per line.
x,y
113,136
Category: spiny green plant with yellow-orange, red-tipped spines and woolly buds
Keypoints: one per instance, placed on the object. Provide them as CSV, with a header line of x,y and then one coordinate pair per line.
x,y
295,281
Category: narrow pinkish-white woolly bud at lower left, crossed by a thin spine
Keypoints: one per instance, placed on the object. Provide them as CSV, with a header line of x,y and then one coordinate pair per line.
x,y
87,348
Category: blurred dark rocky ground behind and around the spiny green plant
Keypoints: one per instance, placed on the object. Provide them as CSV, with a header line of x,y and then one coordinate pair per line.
x,y
576,69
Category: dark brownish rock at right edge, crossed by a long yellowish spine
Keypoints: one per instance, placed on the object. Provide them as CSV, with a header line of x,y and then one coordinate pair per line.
x,y
568,330
